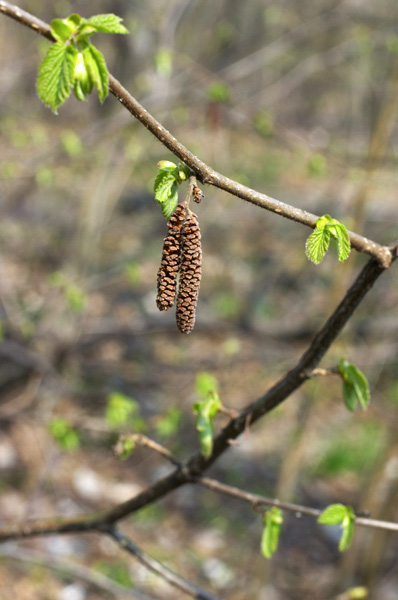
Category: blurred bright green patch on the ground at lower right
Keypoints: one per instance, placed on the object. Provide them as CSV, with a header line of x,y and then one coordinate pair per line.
x,y
356,449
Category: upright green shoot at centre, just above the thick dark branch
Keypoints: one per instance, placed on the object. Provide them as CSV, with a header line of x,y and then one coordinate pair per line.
x,y
206,409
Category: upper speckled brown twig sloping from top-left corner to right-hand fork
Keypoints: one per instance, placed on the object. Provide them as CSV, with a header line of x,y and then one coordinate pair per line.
x,y
204,173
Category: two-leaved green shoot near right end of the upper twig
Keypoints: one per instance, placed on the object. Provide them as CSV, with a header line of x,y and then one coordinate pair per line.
x,y
318,242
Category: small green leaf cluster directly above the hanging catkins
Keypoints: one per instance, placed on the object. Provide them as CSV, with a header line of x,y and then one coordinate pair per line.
x,y
166,185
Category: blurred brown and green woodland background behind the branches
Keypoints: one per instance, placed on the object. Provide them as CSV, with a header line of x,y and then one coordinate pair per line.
x,y
296,99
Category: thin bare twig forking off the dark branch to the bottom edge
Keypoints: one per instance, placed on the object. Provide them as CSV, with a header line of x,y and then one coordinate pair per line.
x,y
153,565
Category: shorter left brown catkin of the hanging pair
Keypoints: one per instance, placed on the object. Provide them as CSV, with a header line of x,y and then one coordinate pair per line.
x,y
167,274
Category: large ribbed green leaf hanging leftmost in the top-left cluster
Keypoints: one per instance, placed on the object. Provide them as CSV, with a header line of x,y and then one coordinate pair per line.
x,y
56,74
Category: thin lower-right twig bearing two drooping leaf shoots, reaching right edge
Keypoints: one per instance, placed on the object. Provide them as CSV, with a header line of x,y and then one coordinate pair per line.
x,y
256,500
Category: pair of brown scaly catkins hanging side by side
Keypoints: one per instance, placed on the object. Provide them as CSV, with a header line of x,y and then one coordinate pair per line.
x,y
181,256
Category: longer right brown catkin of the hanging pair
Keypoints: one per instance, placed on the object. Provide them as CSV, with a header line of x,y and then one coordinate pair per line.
x,y
190,274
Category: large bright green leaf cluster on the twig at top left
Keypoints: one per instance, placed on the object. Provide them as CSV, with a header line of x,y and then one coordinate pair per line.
x,y
73,61
